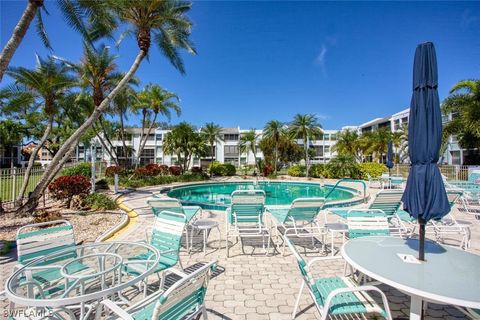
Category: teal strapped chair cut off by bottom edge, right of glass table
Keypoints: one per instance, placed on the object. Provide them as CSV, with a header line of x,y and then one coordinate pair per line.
x,y
185,299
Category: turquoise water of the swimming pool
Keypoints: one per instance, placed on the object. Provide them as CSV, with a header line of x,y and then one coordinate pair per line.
x,y
217,195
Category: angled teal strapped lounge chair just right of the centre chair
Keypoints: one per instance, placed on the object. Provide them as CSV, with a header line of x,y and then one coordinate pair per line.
x,y
300,219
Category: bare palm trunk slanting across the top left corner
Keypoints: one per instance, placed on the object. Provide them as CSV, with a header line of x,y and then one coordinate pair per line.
x,y
18,34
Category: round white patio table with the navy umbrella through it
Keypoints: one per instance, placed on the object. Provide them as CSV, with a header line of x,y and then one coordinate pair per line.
x,y
448,276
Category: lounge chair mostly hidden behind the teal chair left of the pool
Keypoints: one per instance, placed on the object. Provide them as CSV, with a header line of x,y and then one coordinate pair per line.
x,y
159,204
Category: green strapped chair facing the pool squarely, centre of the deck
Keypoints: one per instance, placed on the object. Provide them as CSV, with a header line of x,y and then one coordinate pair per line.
x,y
245,217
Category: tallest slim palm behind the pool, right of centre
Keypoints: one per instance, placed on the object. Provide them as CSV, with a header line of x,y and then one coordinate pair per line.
x,y
305,127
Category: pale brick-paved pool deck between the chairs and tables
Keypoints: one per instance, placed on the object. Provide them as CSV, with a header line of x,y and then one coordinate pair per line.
x,y
256,286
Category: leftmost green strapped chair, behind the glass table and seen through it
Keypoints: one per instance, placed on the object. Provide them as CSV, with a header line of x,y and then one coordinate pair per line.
x,y
44,239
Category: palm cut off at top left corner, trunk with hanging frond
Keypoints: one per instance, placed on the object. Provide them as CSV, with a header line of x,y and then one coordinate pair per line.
x,y
31,11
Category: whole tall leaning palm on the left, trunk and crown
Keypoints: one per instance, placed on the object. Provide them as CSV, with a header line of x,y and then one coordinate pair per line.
x,y
165,20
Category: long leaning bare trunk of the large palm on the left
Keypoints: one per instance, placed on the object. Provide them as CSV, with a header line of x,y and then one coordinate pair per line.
x,y
69,145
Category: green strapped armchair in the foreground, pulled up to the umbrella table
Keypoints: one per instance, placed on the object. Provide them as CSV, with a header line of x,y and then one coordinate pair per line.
x,y
336,296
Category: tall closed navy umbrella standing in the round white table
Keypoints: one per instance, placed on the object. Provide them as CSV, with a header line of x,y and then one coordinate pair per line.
x,y
425,197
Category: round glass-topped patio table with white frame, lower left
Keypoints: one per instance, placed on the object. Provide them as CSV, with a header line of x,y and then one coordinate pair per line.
x,y
78,277
